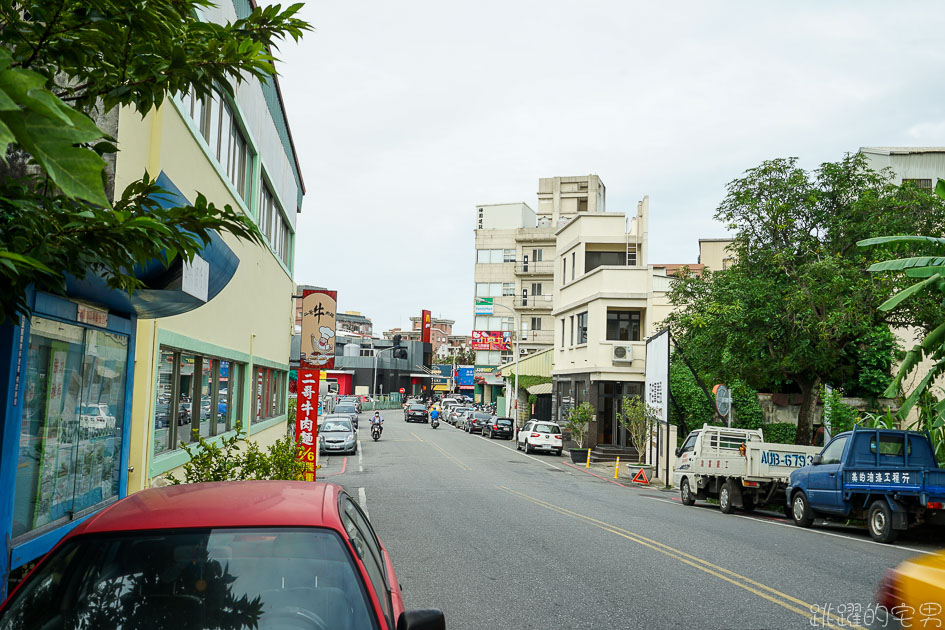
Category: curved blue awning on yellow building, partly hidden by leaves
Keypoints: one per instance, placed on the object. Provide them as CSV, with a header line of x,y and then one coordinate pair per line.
x,y
164,294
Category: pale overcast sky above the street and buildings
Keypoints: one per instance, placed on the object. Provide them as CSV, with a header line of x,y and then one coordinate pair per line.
x,y
407,114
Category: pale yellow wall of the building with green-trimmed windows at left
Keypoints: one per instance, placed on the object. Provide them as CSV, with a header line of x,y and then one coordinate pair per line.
x,y
251,317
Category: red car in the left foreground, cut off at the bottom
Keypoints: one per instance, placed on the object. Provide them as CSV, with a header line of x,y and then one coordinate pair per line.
x,y
268,555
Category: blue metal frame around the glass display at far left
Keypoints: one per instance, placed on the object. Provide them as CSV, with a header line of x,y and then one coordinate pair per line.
x,y
52,307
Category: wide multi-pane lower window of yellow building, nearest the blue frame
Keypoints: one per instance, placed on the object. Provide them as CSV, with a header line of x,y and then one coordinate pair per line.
x,y
195,393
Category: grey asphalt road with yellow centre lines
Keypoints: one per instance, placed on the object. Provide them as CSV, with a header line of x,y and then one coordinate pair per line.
x,y
499,539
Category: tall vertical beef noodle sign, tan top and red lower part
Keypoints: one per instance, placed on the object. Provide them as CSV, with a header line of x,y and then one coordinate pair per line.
x,y
317,353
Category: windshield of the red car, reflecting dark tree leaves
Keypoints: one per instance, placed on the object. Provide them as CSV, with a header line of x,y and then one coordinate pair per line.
x,y
195,580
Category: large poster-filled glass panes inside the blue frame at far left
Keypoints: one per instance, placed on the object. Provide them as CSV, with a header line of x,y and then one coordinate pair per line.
x,y
72,423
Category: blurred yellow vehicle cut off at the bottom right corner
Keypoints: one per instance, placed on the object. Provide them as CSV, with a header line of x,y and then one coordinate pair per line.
x,y
914,591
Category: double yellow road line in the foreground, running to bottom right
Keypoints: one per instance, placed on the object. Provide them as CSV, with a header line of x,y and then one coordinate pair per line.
x,y
722,573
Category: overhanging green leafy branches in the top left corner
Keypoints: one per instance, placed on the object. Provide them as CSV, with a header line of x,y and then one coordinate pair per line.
x,y
63,62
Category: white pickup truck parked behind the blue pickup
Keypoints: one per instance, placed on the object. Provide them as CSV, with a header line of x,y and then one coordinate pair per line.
x,y
736,467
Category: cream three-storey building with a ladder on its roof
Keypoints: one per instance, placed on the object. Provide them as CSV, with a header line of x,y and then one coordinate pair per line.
x,y
607,301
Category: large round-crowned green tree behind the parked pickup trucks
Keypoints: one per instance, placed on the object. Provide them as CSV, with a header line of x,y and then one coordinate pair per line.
x,y
796,303
